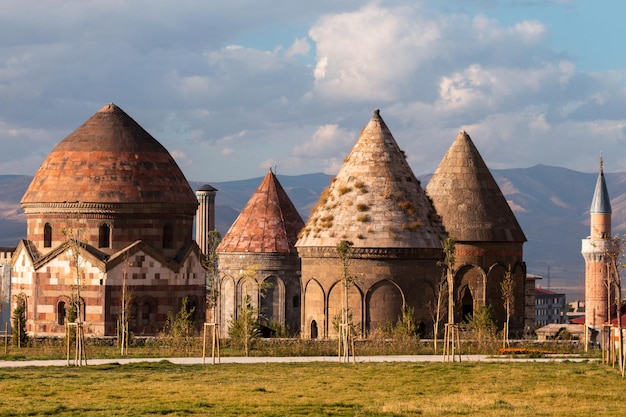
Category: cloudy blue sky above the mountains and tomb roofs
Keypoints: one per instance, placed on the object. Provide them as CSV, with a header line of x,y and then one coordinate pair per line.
x,y
233,88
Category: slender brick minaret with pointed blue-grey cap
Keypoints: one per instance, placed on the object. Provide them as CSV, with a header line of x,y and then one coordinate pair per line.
x,y
594,251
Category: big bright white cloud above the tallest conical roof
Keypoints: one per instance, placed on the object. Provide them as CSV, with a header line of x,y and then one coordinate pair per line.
x,y
369,53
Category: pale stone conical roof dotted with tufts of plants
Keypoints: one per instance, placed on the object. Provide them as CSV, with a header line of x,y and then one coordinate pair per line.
x,y
375,200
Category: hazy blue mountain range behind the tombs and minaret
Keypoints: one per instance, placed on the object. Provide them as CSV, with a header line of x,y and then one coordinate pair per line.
x,y
550,203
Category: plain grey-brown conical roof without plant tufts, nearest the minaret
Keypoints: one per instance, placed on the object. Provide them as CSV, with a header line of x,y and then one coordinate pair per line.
x,y
468,199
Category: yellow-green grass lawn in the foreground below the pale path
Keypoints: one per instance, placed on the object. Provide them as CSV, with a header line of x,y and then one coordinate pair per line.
x,y
316,389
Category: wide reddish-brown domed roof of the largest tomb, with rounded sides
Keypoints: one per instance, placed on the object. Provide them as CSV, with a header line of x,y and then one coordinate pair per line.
x,y
110,159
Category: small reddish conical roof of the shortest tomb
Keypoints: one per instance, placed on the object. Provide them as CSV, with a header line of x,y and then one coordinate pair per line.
x,y
269,223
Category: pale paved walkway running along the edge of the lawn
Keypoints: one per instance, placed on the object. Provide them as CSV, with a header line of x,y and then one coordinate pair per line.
x,y
293,359
